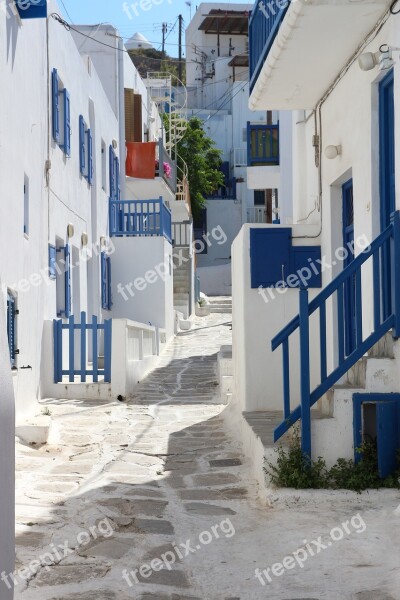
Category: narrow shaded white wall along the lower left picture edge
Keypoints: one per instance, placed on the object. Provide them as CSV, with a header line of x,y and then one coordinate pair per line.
x,y
7,461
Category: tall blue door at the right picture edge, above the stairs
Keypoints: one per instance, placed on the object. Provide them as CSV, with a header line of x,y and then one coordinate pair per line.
x,y
387,176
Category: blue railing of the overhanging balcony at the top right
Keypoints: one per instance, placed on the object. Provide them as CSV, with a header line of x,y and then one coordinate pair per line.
x,y
265,20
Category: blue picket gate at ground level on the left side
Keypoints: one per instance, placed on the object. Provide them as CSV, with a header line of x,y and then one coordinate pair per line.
x,y
77,362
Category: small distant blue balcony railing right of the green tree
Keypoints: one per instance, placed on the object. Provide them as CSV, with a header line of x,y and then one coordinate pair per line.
x,y
262,145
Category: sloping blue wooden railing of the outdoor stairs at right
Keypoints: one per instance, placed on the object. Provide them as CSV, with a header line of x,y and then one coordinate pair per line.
x,y
384,254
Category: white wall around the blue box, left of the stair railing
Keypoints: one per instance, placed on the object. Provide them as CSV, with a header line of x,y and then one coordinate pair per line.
x,y
257,370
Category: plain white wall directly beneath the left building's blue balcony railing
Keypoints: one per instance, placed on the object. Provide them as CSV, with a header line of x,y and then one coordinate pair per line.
x,y
142,281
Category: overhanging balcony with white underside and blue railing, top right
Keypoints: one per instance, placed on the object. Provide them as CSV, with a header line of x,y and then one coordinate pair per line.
x,y
294,50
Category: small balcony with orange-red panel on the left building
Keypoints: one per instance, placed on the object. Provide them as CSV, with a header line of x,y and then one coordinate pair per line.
x,y
152,169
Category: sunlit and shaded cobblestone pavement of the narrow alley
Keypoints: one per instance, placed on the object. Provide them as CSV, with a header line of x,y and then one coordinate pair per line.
x,y
152,500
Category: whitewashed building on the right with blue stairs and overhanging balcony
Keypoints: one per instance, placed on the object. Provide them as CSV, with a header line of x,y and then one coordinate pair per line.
x,y
328,355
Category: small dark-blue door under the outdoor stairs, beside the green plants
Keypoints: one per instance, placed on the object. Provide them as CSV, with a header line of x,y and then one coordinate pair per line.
x,y
387,424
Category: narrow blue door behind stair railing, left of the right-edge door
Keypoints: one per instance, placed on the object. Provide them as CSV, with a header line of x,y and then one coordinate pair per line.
x,y
350,285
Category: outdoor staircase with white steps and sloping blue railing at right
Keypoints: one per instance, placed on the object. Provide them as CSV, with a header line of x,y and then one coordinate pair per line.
x,y
370,367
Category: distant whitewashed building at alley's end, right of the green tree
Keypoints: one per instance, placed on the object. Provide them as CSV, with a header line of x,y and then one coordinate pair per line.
x,y
256,146
